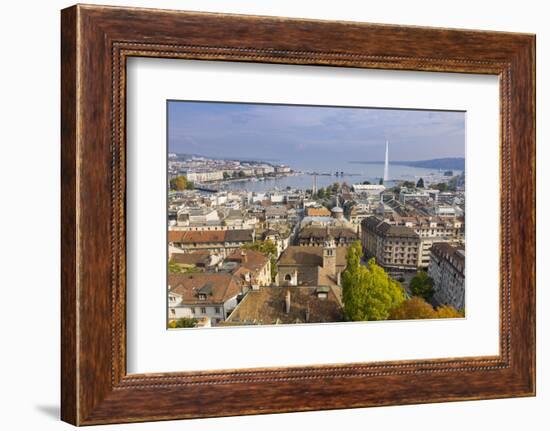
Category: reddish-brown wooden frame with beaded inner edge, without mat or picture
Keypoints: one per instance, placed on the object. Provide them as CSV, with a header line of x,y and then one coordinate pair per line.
x,y
95,42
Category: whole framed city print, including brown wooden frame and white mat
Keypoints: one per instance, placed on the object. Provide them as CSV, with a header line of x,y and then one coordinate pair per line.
x,y
266,215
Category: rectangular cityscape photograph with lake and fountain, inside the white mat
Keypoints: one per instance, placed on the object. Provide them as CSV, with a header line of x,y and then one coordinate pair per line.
x,y
296,214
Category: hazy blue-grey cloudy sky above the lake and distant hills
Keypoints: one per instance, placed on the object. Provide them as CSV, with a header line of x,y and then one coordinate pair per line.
x,y
298,133
